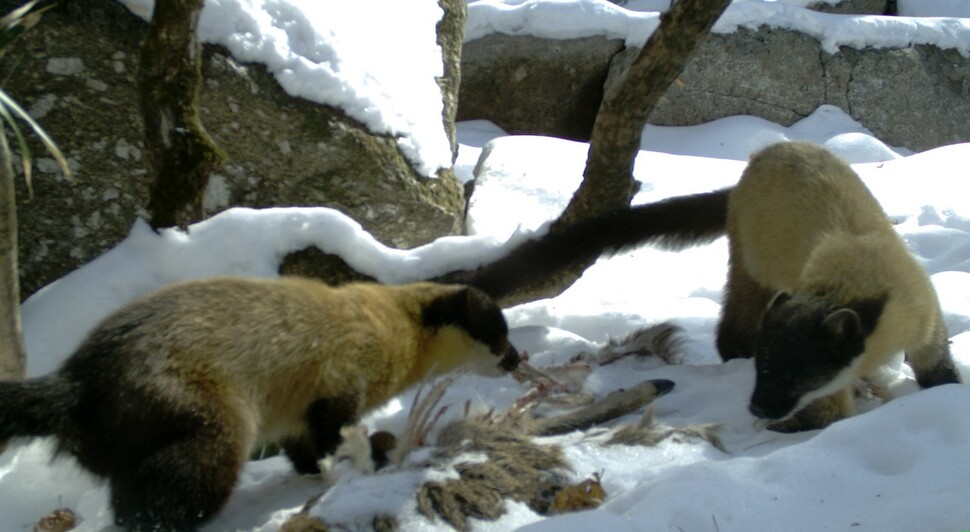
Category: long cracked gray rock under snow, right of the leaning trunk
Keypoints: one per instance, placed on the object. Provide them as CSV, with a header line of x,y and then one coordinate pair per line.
x,y
910,97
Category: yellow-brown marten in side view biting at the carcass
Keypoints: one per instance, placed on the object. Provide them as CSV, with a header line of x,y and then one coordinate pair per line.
x,y
167,397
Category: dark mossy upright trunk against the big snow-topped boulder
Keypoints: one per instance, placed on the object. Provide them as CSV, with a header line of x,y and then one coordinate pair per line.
x,y
180,152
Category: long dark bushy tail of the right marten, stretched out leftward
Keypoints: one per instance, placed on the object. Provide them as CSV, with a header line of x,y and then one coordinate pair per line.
x,y
674,223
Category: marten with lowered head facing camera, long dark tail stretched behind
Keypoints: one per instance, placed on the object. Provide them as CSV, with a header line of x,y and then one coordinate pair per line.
x,y
805,235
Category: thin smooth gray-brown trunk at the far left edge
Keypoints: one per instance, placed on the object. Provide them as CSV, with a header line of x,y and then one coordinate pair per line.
x,y
13,357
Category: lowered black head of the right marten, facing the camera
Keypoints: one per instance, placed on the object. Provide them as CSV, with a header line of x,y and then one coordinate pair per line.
x,y
807,348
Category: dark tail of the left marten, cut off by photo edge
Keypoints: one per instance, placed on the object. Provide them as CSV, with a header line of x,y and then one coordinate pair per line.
x,y
35,407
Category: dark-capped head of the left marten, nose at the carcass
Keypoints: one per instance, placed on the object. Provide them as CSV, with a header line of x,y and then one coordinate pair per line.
x,y
470,312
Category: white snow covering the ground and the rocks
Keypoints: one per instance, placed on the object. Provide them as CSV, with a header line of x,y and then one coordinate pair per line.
x,y
896,466
